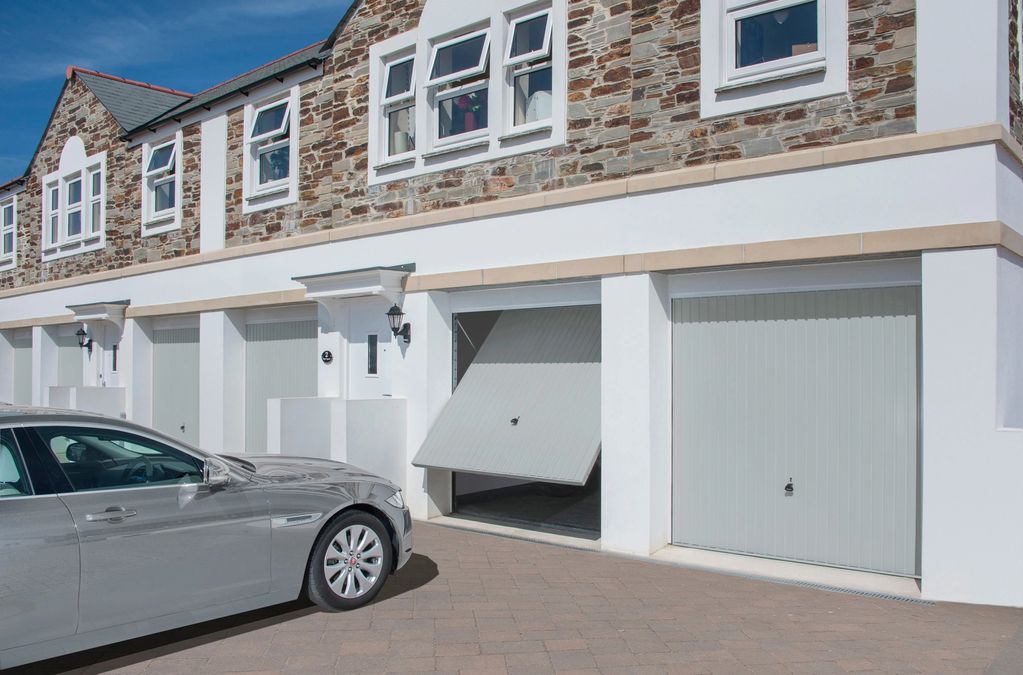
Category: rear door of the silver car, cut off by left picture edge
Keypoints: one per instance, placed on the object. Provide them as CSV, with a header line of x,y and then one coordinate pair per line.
x,y
39,557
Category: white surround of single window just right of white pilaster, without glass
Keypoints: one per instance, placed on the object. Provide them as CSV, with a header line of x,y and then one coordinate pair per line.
x,y
255,200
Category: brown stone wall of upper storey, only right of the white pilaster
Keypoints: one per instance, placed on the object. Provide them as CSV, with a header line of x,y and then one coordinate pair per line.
x,y
634,108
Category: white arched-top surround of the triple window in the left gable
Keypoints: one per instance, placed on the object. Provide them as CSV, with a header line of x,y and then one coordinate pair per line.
x,y
74,161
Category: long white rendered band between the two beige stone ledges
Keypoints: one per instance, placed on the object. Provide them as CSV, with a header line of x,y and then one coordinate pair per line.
x,y
939,189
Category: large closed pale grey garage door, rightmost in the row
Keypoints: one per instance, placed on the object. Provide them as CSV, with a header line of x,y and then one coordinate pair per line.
x,y
795,427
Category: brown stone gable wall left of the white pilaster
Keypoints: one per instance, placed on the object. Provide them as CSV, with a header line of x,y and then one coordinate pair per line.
x,y
80,113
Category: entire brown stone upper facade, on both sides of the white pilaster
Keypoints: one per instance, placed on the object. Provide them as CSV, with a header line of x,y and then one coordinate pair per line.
x,y
634,88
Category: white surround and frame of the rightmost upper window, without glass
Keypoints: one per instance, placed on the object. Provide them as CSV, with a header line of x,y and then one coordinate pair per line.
x,y
724,91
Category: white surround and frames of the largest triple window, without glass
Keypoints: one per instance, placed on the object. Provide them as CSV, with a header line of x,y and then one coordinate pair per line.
x,y
502,139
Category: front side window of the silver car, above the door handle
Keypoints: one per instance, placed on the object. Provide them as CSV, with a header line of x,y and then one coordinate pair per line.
x,y
107,459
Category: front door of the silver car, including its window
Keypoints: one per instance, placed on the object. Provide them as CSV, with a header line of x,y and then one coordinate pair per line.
x,y
155,539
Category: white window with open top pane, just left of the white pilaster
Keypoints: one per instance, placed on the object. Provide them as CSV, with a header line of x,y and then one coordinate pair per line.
x,y
162,186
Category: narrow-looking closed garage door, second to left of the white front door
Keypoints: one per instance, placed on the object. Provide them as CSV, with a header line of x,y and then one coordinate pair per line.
x,y
175,383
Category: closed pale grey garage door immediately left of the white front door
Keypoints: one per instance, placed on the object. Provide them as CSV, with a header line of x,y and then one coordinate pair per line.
x,y
281,363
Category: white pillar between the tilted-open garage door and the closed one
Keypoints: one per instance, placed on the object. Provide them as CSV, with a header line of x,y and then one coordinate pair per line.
x,y
636,414
